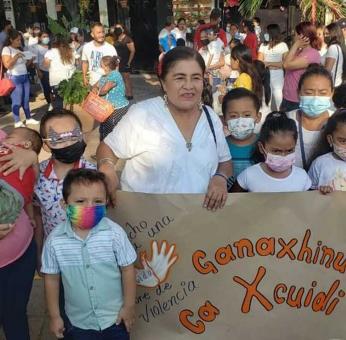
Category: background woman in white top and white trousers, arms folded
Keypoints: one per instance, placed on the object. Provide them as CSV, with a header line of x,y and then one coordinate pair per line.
x,y
272,53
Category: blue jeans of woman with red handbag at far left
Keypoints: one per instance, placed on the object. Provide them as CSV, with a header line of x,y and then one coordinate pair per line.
x,y
21,96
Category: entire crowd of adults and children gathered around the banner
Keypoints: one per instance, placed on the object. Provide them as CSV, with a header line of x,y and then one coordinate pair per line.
x,y
241,111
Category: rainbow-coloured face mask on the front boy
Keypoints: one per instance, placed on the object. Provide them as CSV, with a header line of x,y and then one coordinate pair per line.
x,y
85,217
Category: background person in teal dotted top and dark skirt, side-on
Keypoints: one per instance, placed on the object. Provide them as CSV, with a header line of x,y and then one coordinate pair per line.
x,y
112,88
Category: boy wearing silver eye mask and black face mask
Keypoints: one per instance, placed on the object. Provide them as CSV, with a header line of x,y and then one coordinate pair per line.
x,y
61,131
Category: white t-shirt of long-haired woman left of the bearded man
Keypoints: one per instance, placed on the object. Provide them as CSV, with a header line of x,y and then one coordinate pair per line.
x,y
57,70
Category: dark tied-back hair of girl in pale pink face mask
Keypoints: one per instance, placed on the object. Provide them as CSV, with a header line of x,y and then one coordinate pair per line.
x,y
274,123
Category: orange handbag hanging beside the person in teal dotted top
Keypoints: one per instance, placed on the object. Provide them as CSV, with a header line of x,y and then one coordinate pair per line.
x,y
100,109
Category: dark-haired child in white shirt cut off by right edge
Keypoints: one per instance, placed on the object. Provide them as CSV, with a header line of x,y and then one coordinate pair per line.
x,y
328,171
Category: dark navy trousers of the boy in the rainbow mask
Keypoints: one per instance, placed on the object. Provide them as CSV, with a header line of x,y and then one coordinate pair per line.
x,y
112,333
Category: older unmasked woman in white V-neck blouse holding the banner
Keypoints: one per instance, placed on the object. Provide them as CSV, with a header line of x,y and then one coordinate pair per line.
x,y
171,144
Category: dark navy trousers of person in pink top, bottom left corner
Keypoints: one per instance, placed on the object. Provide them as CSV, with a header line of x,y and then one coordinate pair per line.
x,y
15,286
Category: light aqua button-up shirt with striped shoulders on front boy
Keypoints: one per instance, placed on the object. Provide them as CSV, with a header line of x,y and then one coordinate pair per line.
x,y
90,271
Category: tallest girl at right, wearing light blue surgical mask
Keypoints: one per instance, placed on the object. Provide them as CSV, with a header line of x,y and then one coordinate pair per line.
x,y
315,91
